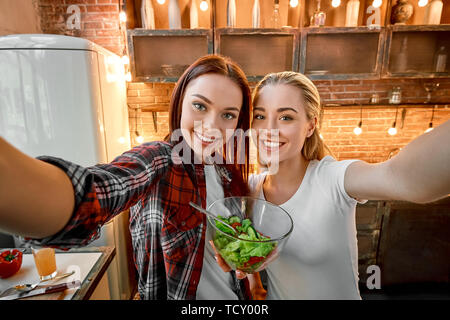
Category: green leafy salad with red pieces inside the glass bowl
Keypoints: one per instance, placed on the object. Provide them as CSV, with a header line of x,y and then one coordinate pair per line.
x,y
242,255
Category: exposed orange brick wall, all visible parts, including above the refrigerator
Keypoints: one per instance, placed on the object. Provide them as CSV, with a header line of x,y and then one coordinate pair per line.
x,y
100,24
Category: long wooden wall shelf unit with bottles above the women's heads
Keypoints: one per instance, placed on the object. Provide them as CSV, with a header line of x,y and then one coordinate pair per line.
x,y
373,49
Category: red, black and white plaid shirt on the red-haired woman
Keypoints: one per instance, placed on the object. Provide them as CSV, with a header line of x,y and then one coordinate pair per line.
x,y
168,235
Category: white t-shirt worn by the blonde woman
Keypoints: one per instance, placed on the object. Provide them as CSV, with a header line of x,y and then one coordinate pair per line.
x,y
320,259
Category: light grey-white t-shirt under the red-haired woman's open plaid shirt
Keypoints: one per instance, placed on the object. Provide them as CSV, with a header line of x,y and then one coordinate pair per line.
x,y
214,284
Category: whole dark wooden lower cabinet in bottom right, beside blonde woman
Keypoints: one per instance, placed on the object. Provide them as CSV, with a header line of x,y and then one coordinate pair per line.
x,y
409,242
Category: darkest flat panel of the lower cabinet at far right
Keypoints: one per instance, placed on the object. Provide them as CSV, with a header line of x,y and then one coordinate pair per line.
x,y
415,243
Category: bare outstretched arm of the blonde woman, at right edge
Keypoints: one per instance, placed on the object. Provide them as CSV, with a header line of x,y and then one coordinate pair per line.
x,y
419,173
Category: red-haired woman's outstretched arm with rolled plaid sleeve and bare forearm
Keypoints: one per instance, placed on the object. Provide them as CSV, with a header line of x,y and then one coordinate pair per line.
x,y
59,203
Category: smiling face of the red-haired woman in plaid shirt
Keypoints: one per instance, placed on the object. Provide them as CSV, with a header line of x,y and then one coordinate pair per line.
x,y
211,106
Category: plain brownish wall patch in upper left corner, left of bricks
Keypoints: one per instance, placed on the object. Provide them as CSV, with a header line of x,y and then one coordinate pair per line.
x,y
19,16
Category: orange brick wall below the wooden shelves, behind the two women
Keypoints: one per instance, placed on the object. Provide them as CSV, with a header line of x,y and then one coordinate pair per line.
x,y
373,145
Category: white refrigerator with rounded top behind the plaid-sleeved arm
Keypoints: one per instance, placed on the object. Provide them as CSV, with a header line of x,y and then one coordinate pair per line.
x,y
66,97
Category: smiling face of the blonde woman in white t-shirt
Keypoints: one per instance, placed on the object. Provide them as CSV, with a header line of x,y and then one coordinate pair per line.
x,y
280,108
